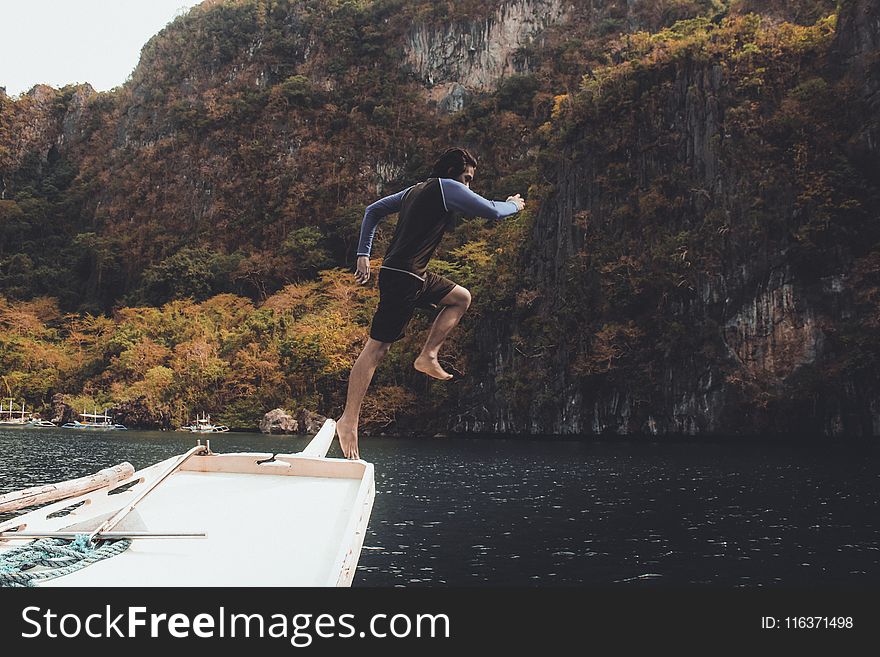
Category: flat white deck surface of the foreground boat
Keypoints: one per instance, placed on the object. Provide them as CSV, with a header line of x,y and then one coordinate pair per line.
x,y
275,530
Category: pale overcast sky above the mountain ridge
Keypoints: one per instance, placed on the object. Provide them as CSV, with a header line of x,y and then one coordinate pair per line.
x,y
59,42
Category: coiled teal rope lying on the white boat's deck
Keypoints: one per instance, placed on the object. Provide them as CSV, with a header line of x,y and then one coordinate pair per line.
x,y
57,556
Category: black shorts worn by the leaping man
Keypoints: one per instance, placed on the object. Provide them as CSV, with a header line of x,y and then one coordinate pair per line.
x,y
400,294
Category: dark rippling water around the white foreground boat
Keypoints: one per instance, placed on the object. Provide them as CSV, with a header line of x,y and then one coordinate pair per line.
x,y
514,512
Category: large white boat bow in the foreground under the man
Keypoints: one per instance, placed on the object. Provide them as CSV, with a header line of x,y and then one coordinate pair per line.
x,y
206,519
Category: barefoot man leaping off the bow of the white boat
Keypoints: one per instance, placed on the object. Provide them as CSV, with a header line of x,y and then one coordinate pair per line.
x,y
426,211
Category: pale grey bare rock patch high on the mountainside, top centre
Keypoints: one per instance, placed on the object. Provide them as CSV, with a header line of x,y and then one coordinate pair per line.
x,y
458,58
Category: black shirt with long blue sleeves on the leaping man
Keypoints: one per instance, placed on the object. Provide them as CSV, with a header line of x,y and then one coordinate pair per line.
x,y
426,211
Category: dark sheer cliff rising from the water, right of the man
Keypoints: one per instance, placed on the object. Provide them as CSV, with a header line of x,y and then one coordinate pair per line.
x,y
746,333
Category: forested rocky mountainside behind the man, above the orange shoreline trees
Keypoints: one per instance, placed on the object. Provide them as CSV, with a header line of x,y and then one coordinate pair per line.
x,y
700,253
